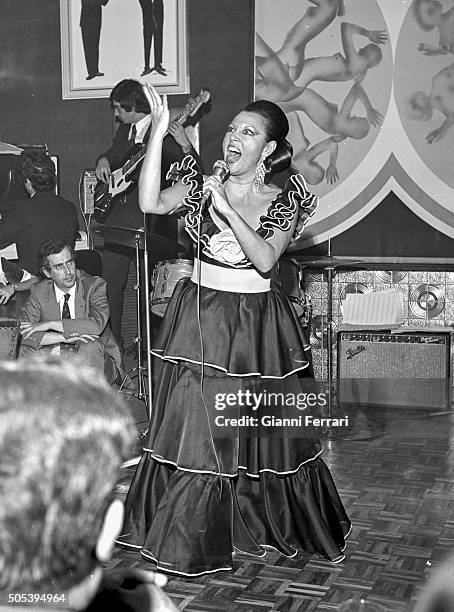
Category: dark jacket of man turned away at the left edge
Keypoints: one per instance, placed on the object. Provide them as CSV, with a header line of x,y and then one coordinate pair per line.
x,y
31,222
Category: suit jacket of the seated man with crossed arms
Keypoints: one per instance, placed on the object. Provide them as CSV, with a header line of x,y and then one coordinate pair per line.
x,y
91,312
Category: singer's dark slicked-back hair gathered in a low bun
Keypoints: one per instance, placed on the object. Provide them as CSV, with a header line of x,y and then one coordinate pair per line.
x,y
276,129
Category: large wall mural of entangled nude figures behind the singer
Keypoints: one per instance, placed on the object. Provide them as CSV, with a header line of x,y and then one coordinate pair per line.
x,y
333,66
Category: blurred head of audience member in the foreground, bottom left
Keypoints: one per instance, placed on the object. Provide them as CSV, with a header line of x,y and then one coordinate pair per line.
x,y
63,437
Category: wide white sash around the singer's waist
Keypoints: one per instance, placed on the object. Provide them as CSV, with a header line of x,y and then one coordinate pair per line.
x,y
229,279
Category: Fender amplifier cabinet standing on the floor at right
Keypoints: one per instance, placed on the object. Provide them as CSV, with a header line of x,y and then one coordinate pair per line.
x,y
384,369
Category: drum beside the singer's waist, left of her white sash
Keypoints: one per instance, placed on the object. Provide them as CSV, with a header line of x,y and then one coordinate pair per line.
x,y
166,274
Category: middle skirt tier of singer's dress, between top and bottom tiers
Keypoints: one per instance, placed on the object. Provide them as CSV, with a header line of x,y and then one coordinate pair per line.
x,y
208,446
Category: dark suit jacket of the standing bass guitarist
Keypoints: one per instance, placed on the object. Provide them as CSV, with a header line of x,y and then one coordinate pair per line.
x,y
128,214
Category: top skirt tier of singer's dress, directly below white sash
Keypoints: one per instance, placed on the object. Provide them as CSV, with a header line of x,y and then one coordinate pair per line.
x,y
261,330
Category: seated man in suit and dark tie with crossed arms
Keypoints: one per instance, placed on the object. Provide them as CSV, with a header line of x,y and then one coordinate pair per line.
x,y
68,313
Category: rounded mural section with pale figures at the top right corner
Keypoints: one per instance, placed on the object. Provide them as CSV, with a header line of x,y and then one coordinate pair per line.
x,y
424,84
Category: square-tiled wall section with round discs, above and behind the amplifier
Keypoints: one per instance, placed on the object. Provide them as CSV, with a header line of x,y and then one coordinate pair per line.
x,y
428,299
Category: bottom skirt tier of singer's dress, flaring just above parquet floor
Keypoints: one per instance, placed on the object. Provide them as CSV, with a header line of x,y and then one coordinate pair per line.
x,y
192,524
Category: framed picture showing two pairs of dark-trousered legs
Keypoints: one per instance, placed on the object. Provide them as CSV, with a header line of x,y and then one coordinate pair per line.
x,y
105,41
